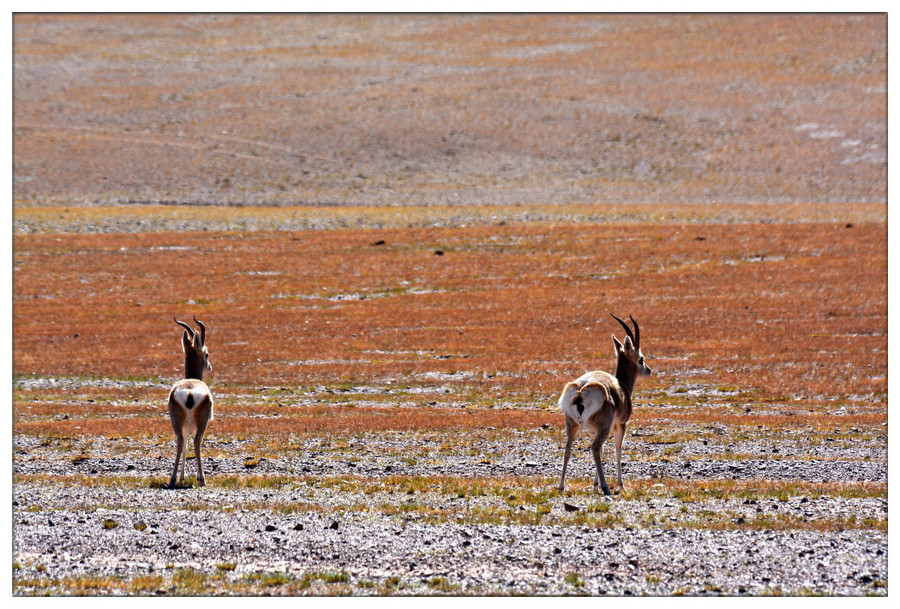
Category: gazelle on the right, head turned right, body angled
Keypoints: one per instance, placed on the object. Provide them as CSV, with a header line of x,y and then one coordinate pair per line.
x,y
600,402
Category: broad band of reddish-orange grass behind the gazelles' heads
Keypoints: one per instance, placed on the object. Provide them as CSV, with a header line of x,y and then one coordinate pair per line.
x,y
785,310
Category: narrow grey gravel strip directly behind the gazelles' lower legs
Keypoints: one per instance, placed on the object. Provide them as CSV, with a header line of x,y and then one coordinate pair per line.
x,y
379,458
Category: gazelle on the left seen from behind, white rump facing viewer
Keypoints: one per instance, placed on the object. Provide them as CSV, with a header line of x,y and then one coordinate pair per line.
x,y
190,401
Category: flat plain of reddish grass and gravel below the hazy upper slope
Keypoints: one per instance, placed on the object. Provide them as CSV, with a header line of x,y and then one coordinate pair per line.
x,y
364,382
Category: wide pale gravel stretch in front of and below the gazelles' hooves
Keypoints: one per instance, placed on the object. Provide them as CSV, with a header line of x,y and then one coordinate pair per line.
x,y
66,540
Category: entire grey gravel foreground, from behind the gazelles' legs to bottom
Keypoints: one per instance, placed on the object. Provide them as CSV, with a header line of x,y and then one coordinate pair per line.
x,y
62,530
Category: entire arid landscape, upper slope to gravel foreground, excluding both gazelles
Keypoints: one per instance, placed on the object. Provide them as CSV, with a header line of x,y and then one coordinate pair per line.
x,y
405,234
